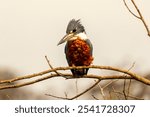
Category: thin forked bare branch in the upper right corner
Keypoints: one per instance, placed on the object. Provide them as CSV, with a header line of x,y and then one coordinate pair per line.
x,y
139,13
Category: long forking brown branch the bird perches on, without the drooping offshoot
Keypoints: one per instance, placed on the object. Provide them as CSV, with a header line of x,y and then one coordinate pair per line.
x,y
69,76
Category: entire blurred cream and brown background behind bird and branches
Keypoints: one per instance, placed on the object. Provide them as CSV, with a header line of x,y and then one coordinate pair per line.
x,y
31,29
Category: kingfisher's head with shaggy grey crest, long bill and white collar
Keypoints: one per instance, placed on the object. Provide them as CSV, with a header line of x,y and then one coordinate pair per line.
x,y
74,29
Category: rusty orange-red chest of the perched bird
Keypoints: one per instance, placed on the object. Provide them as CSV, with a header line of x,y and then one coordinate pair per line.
x,y
77,51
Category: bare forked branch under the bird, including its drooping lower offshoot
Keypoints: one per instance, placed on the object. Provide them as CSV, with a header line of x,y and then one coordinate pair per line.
x,y
51,73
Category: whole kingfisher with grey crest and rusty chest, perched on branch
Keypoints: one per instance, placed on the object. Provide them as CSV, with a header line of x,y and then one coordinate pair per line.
x,y
78,49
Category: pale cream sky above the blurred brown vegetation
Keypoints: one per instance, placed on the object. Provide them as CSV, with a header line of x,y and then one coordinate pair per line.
x,y
31,29
